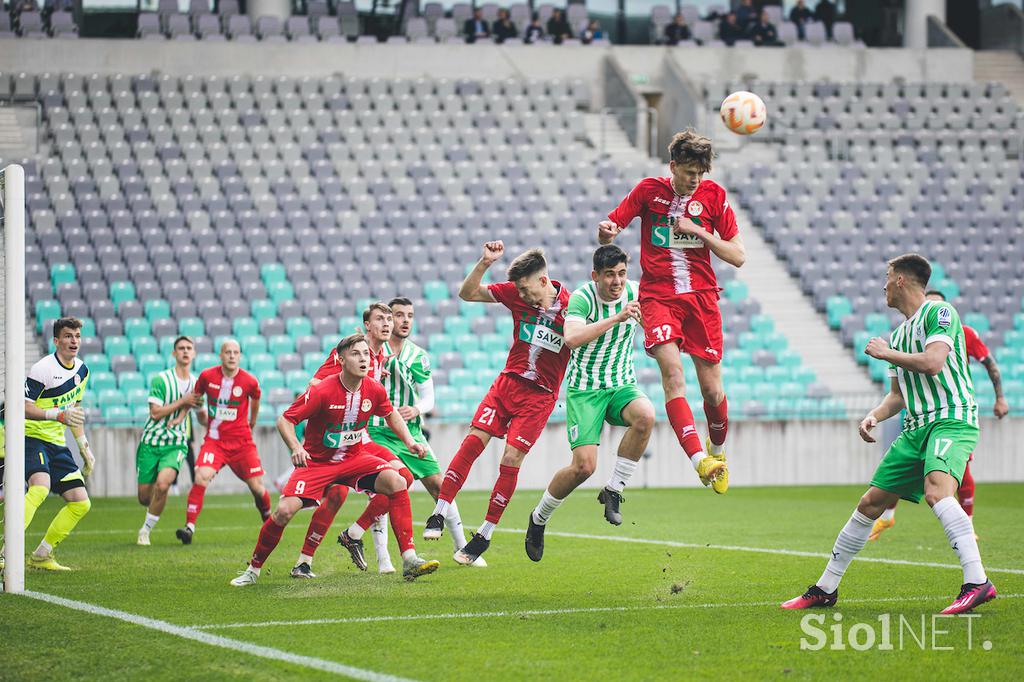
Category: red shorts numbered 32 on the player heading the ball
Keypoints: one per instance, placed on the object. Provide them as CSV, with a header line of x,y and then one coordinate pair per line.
x,y
693,322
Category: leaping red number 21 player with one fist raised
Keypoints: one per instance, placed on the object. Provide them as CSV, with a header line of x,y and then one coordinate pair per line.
x,y
521,401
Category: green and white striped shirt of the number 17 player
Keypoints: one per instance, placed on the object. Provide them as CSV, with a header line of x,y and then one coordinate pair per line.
x,y
950,395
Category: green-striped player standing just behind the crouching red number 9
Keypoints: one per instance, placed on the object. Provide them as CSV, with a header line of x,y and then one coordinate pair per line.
x,y
411,390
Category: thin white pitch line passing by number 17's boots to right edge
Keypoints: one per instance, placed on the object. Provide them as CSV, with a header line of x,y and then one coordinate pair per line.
x,y
551,612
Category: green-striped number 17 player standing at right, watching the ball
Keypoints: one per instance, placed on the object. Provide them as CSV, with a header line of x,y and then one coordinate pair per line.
x,y
931,379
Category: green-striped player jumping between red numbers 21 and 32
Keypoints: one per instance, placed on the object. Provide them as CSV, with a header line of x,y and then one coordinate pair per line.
x,y
601,322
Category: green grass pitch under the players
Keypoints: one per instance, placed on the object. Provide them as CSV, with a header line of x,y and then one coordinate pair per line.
x,y
695,603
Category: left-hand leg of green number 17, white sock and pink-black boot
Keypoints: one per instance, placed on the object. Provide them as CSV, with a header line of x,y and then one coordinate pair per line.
x,y
851,540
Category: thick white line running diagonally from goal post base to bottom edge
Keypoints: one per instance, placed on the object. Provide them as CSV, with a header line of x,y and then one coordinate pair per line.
x,y
220,642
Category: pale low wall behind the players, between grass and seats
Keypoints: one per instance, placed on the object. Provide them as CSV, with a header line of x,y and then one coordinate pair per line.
x,y
760,454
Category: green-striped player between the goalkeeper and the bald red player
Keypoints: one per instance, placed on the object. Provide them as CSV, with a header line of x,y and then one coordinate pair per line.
x,y
166,435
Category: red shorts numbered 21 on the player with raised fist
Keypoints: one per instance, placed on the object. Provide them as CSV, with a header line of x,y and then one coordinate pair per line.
x,y
515,408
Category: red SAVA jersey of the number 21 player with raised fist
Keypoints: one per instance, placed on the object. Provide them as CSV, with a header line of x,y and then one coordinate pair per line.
x,y
539,353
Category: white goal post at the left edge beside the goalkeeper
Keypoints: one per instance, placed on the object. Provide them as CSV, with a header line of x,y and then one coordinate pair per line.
x,y
13,364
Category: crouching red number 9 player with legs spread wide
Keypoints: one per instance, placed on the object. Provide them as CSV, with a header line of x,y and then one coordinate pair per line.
x,y
338,451
